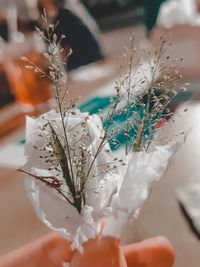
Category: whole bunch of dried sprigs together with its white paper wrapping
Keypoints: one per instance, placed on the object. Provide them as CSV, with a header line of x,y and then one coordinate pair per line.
x,y
75,178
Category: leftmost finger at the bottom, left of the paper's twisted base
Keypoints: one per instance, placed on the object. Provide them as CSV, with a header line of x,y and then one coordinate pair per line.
x,y
50,251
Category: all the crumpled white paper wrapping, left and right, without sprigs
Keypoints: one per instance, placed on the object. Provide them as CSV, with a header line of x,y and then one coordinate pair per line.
x,y
117,195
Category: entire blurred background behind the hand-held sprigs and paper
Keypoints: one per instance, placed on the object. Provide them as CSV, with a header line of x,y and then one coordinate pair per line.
x,y
97,31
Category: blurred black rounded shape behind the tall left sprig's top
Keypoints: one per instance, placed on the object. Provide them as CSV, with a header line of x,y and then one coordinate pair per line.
x,y
79,38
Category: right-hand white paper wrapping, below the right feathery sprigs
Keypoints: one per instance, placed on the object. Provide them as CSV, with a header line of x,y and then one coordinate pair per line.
x,y
144,168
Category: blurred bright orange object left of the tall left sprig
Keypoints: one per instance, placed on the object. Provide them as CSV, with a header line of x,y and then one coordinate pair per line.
x,y
27,85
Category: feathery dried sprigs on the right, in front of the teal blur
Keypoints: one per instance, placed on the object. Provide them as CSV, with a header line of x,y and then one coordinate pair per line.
x,y
145,91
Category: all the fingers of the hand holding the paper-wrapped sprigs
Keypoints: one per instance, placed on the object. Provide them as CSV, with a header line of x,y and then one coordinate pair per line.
x,y
52,251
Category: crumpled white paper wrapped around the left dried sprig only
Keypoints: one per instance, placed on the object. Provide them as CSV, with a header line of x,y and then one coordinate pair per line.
x,y
50,207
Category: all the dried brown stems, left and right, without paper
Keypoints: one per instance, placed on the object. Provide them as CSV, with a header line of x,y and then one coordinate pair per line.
x,y
142,109
